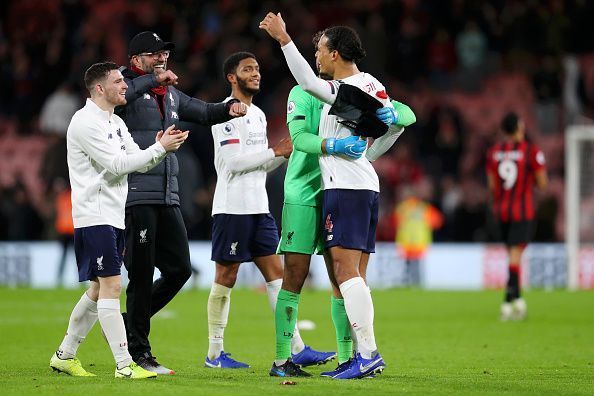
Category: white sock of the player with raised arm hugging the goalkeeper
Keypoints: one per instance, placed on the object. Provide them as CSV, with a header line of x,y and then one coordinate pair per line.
x,y
359,307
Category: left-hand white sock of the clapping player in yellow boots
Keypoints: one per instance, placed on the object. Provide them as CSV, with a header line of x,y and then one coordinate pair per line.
x,y
82,319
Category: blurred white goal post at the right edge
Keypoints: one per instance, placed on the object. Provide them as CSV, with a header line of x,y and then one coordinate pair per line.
x,y
579,187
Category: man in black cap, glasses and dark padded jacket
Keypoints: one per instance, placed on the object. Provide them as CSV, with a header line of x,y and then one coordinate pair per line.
x,y
155,231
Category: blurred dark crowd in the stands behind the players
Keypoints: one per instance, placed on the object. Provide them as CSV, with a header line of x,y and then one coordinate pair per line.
x,y
460,65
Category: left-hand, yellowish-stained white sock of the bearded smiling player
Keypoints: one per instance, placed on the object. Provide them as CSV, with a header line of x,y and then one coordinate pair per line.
x,y
219,301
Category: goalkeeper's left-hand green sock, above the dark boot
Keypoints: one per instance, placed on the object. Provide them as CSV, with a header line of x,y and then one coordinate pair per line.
x,y
285,317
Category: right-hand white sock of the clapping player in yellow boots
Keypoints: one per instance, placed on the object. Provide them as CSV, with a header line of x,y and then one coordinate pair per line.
x,y
113,327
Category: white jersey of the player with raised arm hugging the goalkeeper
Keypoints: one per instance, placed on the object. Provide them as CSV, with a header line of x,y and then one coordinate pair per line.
x,y
340,172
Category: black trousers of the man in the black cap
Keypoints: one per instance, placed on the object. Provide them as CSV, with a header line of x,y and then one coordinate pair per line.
x,y
155,237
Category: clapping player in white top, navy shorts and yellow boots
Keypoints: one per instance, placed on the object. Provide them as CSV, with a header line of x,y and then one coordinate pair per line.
x,y
101,153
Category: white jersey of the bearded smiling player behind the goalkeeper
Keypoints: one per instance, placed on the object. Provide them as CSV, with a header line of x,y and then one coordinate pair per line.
x,y
240,192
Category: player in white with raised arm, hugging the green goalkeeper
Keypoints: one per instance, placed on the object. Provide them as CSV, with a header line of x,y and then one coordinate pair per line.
x,y
351,186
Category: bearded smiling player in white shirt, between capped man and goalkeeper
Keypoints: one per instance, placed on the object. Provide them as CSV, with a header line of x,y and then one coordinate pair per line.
x,y
243,228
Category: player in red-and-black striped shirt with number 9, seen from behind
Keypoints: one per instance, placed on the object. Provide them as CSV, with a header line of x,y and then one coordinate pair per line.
x,y
514,167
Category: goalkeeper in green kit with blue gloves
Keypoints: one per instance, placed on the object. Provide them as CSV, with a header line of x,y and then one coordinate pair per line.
x,y
301,234
